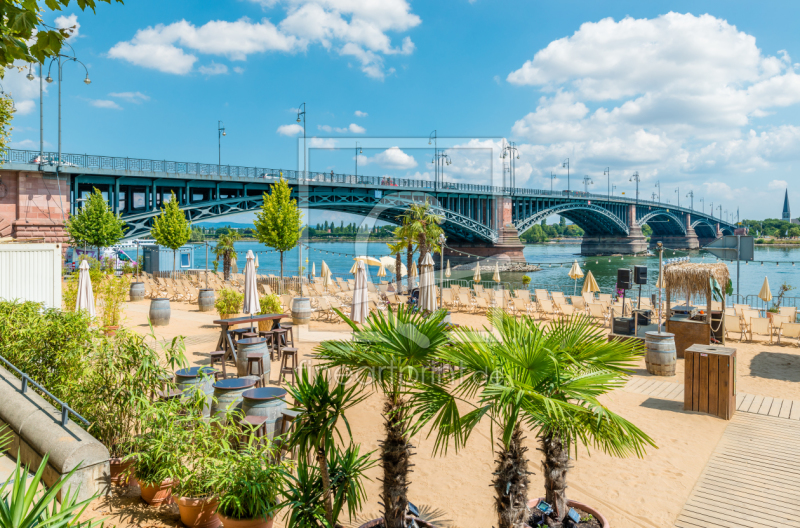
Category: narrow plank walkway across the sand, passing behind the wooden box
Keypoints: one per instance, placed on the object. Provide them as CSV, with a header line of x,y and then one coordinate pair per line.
x,y
748,403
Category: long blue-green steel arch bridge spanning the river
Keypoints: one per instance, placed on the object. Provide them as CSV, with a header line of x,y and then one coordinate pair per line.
x,y
137,188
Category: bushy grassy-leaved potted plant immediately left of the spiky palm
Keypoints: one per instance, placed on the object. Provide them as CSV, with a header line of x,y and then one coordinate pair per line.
x,y
250,484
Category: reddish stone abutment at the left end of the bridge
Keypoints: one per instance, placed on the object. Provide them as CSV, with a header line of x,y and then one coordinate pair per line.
x,y
31,207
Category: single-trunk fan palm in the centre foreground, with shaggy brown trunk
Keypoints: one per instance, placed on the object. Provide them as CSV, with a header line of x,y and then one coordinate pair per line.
x,y
391,353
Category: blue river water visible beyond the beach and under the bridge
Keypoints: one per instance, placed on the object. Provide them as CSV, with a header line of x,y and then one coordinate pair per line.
x,y
555,260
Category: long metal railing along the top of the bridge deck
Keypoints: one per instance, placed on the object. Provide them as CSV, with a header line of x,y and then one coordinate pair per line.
x,y
91,161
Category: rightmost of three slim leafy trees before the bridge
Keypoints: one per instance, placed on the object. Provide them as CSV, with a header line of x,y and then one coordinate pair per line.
x,y
279,223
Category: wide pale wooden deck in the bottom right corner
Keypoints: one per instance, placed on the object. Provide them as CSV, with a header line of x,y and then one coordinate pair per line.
x,y
752,479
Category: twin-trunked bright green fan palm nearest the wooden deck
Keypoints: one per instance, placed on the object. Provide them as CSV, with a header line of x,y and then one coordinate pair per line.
x,y
548,379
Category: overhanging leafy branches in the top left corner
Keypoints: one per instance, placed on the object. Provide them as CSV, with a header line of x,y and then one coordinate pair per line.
x,y
25,37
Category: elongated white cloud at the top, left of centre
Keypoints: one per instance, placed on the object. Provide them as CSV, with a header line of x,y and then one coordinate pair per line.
x,y
356,29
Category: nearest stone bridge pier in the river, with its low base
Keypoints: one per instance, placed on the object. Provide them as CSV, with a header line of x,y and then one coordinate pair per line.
x,y
508,248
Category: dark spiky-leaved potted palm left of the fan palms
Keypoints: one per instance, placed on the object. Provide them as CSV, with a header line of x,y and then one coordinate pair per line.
x,y
319,494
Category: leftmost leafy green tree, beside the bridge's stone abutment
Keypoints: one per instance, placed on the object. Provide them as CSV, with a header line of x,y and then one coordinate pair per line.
x,y
95,224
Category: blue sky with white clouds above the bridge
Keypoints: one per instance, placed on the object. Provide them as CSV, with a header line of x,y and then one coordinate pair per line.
x,y
699,96
